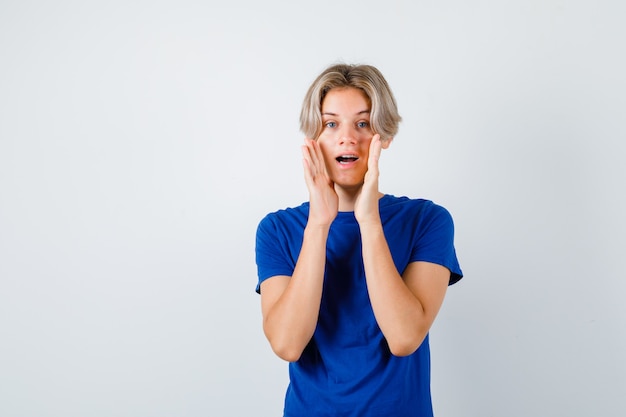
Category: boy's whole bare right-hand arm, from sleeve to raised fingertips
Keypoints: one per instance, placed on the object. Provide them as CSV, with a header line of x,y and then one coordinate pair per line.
x,y
405,306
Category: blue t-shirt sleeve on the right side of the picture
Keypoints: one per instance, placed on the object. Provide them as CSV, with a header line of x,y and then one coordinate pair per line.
x,y
435,241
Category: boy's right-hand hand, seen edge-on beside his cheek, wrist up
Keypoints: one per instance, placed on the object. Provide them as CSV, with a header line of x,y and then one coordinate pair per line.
x,y
366,205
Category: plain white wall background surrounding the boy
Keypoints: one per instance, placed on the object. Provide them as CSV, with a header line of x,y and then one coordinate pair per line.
x,y
142,141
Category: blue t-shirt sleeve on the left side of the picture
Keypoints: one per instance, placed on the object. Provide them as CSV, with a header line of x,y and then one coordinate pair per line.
x,y
272,255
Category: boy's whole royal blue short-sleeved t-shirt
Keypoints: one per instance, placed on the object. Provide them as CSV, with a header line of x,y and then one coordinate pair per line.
x,y
347,368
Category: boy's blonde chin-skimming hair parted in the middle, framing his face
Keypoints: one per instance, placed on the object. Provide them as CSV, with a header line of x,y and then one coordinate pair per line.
x,y
384,117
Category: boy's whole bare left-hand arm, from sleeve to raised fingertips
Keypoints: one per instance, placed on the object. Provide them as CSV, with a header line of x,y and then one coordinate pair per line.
x,y
290,305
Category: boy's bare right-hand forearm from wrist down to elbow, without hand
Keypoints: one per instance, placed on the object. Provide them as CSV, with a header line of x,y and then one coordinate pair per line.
x,y
399,313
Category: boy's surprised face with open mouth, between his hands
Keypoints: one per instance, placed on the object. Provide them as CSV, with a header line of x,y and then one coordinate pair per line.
x,y
346,135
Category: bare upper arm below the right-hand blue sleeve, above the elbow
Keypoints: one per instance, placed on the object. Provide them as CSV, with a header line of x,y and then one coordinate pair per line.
x,y
428,282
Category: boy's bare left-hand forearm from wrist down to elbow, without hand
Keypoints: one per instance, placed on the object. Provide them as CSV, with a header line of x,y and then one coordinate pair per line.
x,y
290,322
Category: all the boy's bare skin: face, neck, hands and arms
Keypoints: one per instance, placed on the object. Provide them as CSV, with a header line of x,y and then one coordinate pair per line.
x,y
405,306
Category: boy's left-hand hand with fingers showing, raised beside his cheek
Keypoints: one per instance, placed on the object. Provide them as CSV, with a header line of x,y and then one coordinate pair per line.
x,y
323,200
